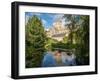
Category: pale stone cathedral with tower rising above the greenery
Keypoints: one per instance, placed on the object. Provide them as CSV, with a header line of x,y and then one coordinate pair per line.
x,y
58,31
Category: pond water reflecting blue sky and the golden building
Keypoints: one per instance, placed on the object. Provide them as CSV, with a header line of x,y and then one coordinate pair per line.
x,y
52,59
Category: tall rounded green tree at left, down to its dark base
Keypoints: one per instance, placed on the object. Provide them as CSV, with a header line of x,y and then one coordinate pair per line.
x,y
35,42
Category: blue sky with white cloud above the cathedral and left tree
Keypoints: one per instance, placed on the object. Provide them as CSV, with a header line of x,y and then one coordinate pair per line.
x,y
47,18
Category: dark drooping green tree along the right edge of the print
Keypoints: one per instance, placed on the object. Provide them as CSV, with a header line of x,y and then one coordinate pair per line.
x,y
82,39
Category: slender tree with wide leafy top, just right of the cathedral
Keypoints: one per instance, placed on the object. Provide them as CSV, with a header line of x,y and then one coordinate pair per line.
x,y
71,23
